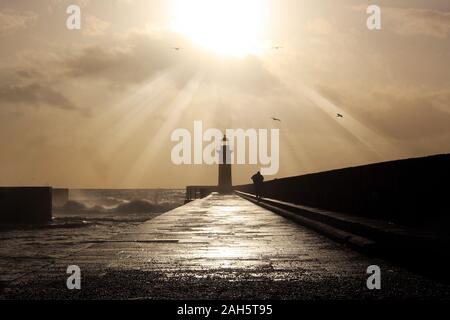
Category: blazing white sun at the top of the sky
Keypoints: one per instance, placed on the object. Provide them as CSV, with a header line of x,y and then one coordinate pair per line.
x,y
226,27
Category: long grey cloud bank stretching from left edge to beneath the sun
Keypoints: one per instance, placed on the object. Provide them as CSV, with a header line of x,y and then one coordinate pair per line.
x,y
55,79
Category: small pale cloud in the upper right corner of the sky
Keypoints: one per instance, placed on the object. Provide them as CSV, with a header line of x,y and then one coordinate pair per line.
x,y
410,22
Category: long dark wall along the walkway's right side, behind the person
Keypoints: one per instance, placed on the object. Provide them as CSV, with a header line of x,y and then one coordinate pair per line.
x,y
411,191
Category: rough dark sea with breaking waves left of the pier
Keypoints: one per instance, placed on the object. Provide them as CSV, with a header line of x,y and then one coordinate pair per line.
x,y
88,217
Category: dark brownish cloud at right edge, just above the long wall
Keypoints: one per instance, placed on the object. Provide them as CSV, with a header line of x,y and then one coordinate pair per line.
x,y
400,113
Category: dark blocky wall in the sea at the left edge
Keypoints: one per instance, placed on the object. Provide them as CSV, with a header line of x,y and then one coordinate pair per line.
x,y
25,205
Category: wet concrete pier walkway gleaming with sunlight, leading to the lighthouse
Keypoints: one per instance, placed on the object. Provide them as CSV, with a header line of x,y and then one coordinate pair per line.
x,y
222,247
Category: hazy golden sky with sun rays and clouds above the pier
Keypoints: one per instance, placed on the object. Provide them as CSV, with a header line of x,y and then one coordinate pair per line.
x,y
96,107
